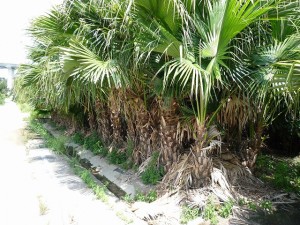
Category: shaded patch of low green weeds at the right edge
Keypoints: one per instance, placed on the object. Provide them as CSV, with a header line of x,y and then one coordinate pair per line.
x,y
281,173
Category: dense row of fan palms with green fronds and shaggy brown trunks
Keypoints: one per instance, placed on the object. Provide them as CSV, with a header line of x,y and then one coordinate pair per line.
x,y
182,77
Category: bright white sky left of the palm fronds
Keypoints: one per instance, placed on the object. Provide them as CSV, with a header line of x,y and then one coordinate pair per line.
x,y
15,16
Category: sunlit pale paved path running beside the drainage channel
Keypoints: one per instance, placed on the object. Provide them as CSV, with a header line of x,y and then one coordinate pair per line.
x,y
37,187
